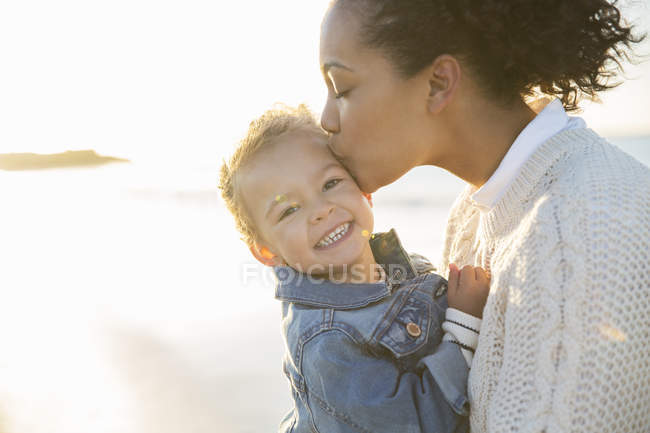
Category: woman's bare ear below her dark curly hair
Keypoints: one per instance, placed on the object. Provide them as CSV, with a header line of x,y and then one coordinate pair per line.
x,y
444,78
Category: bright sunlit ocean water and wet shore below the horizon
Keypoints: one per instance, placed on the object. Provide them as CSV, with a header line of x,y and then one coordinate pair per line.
x,y
129,303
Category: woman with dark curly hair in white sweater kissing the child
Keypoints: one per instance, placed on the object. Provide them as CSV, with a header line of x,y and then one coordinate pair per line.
x,y
559,216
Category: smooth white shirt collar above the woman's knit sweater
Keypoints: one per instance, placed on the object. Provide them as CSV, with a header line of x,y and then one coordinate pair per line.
x,y
551,120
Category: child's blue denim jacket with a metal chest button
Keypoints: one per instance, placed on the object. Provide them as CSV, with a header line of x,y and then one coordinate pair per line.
x,y
369,357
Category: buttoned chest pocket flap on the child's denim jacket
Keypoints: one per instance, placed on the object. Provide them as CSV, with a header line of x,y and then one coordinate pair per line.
x,y
405,330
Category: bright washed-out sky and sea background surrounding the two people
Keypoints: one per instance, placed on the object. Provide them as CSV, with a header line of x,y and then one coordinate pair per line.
x,y
127,301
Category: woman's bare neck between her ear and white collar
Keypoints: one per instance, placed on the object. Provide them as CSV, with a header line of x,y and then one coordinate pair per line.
x,y
478,136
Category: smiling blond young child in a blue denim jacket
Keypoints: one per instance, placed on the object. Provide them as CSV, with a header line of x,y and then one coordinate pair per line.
x,y
362,321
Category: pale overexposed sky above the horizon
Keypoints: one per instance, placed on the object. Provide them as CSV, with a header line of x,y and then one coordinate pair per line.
x,y
173,81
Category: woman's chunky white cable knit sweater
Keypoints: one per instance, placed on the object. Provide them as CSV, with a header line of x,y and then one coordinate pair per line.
x,y
565,338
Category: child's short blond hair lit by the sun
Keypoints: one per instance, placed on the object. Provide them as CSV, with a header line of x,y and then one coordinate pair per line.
x,y
262,132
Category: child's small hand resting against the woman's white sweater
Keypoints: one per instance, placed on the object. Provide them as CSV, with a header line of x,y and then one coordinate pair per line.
x,y
467,289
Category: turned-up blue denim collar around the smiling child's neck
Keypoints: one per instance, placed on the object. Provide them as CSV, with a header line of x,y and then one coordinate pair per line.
x,y
297,287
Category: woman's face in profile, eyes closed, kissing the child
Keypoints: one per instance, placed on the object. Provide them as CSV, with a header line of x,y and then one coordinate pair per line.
x,y
376,118
